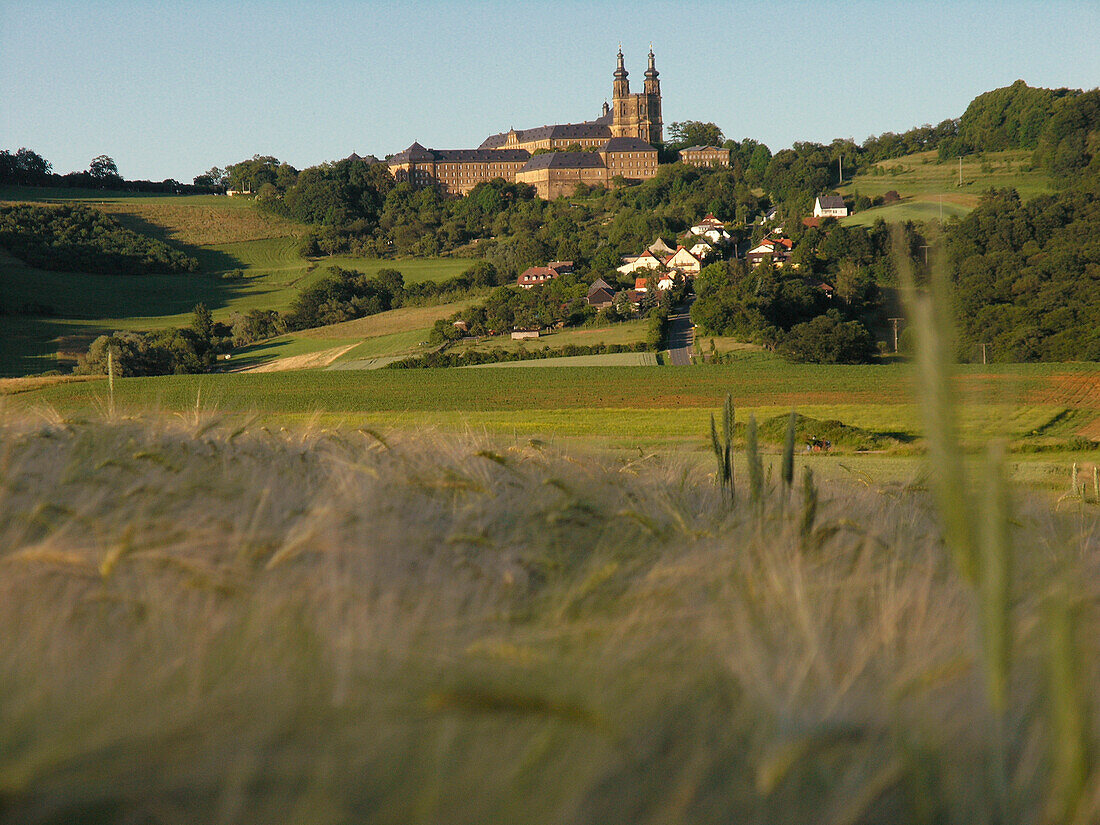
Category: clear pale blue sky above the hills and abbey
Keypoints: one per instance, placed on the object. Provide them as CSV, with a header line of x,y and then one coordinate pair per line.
x,y
172,90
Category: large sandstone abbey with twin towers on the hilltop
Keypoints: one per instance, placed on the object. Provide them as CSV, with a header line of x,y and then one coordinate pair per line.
x,y
555,159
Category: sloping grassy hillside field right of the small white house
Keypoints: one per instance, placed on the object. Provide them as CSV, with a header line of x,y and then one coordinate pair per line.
x,y
926,184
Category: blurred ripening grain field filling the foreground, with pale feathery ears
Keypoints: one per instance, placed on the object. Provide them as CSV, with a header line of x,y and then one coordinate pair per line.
x,y
210,621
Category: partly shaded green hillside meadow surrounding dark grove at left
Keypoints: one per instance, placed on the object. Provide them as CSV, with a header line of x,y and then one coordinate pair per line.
x,y
249,260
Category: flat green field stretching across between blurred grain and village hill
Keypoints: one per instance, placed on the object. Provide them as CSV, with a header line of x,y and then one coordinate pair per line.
x,y
1033,406
